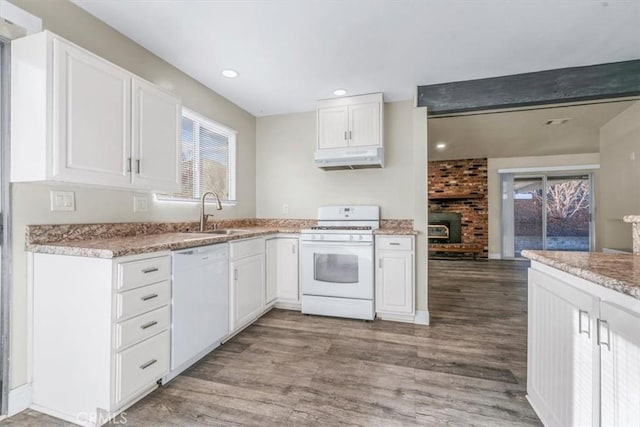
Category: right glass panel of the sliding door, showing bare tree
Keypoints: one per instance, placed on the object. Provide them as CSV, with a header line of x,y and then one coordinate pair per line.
x,y
568,225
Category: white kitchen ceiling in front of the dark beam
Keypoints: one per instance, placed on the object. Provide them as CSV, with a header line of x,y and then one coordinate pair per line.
x,y
291,52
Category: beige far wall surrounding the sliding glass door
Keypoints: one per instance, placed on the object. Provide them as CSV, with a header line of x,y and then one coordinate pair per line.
x,y
495,205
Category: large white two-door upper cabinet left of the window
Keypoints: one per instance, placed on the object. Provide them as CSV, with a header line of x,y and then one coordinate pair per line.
x,y
78,118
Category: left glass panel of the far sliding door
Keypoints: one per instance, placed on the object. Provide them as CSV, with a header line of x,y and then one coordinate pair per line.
x,y
528,214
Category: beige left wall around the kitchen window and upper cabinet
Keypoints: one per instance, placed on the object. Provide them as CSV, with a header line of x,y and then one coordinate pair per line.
x,y
31,201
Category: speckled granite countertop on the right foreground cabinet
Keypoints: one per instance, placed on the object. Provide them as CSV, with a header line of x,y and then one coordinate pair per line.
x,y
619,272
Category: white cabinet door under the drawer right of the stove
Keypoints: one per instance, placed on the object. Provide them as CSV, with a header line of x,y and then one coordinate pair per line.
x,y
394,282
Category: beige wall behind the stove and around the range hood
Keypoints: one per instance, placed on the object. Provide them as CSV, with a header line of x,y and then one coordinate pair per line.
x,y
286,174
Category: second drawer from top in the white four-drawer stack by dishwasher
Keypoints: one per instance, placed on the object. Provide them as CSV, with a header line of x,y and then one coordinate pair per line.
x,y
141,300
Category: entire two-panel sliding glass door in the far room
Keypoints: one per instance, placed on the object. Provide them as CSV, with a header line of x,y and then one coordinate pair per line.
x,y
547,212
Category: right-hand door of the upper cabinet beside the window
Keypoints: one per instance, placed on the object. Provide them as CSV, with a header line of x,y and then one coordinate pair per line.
x,y
156,138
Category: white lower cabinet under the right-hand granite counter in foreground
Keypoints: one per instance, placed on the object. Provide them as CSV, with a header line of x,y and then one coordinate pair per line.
x,y
583,352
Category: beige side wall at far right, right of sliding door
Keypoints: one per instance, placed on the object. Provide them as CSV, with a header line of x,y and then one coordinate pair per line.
x,y
619,193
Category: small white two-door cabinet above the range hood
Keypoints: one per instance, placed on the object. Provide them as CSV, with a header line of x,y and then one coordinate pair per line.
x,y
354,121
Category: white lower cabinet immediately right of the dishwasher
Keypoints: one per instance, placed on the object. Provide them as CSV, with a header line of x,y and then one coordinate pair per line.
x,y
247,279
